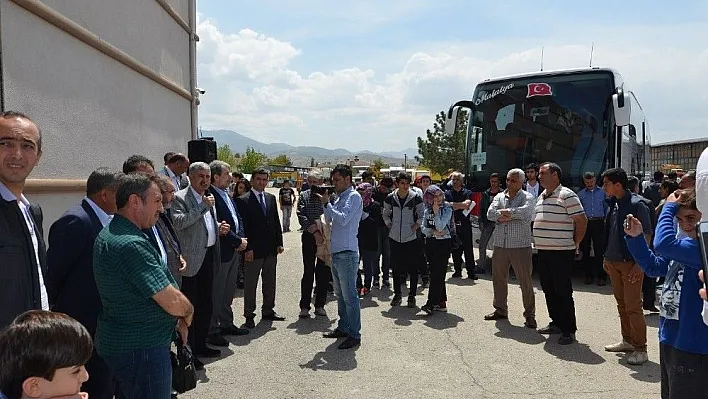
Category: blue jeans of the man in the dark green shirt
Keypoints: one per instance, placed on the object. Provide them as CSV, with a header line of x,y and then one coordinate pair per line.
x,y
143,374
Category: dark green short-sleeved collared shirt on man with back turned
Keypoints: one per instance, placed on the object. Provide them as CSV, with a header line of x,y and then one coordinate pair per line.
x,y
128,272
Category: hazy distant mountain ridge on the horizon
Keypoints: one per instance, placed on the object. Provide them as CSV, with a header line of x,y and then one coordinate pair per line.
x,y
301,155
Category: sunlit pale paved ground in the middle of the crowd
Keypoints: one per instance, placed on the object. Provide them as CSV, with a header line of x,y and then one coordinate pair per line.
x,y
405,354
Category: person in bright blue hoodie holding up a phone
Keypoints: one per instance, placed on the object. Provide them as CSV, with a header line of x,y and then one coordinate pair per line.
x,y
682,332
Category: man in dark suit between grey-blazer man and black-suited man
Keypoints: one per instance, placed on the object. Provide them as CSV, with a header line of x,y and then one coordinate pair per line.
x,y
222,319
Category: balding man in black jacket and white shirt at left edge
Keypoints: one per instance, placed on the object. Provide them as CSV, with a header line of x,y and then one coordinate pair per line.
x,y
22,249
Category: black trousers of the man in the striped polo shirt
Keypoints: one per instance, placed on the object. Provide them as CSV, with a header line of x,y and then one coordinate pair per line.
x,y
554,268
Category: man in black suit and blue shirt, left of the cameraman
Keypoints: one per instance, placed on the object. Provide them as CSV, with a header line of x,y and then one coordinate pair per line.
x,y
265,242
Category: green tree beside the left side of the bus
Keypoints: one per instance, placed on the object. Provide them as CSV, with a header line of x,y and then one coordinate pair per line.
x,y
440,151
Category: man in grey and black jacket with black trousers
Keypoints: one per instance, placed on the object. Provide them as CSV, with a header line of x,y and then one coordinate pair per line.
x,y
403,215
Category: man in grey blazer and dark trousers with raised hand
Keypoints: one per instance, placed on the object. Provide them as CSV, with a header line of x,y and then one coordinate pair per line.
x,y
198,231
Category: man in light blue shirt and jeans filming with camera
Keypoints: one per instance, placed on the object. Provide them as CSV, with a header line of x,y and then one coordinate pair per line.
x,y
345,214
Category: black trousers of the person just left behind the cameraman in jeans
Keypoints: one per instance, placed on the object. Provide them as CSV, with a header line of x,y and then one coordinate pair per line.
x,y
314,270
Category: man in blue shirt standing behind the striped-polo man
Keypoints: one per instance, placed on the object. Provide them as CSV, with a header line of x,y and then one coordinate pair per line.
x,y
593,199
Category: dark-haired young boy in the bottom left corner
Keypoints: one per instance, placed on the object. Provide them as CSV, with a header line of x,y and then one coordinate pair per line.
x,y
42,356
